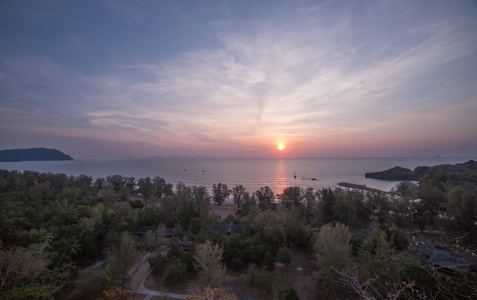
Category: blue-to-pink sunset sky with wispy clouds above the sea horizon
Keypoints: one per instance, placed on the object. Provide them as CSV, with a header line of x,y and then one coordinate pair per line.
x,y
129,79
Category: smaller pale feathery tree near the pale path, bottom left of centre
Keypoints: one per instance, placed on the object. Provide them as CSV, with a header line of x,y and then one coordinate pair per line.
x,y
208,263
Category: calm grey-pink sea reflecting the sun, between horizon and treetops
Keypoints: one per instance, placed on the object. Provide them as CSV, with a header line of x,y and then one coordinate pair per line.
x,y
252,173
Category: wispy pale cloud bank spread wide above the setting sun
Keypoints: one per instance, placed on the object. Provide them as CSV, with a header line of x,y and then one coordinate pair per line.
x,y
307,74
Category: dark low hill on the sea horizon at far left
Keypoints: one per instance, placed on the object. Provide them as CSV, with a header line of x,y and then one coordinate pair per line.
x,y
32,154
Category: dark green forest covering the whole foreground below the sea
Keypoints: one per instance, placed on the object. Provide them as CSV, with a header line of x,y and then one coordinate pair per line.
x,y
66,237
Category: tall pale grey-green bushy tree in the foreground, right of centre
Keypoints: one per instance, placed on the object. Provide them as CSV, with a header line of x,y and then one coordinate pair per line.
x,y
333,255
